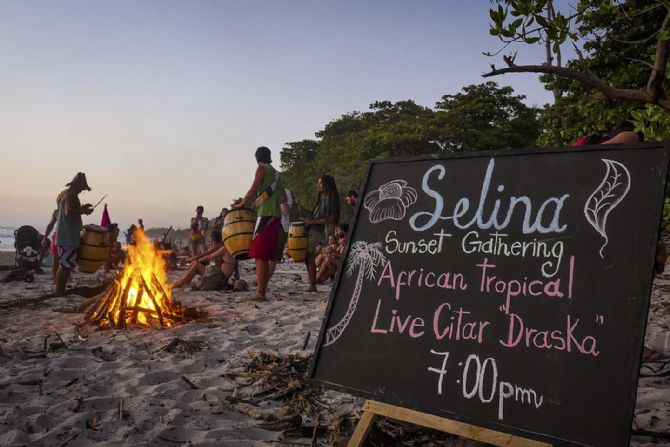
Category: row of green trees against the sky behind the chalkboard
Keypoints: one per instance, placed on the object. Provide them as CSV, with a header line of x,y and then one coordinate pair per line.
x,y
480,117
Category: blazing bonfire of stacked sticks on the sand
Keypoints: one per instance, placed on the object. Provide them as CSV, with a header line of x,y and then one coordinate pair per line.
x,y
140,291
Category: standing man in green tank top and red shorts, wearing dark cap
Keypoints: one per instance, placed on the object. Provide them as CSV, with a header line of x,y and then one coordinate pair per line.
x,y
267,193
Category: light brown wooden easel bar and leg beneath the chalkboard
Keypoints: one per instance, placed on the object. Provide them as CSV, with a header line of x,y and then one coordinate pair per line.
x,y
372,409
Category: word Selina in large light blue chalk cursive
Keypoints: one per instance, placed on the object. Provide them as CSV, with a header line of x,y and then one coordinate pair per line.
x,y
532,218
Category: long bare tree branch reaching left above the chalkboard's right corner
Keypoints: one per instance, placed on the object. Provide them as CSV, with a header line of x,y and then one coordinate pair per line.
x,y
588,79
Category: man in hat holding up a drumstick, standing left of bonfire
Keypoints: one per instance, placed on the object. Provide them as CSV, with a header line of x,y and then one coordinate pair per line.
x,y
69,226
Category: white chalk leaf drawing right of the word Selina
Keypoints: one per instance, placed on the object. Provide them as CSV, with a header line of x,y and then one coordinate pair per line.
x,y
606,197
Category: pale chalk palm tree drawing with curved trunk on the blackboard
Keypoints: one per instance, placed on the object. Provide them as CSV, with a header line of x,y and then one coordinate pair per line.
x,y
367,257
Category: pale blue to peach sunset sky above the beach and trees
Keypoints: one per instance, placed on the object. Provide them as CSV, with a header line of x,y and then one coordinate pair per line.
x,y
163,103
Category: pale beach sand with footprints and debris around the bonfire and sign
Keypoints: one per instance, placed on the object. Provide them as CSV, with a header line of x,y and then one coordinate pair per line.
x,y
62,384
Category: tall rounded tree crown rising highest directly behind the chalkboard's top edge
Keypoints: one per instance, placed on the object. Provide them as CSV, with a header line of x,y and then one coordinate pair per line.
x,y
485,117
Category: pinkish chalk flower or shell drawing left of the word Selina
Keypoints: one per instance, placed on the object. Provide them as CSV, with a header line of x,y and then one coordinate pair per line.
x,y
390,201
